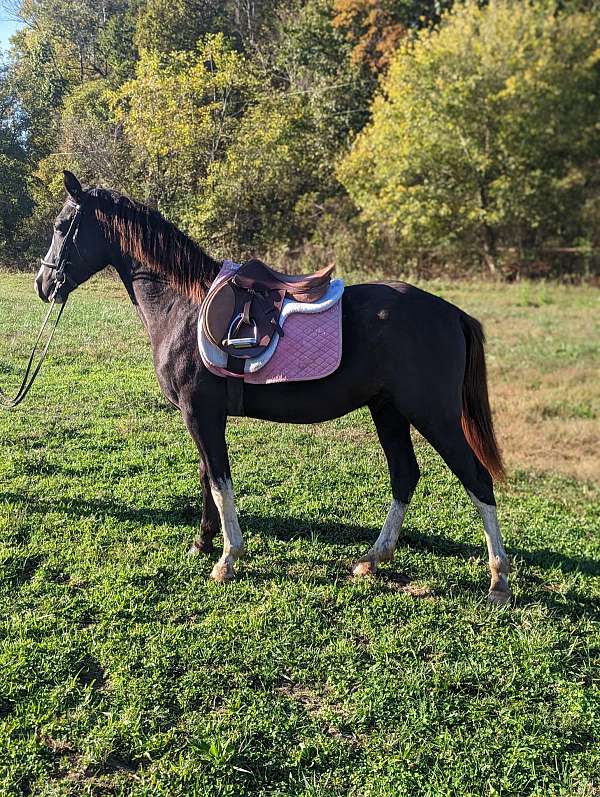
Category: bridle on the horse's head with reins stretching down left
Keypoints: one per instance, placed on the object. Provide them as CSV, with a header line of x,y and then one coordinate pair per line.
x,y
62,276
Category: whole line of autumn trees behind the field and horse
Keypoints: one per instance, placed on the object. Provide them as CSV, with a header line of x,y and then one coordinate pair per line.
x,y
376,133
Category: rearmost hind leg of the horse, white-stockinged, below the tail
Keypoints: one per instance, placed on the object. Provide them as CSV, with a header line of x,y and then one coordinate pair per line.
x,y
449,441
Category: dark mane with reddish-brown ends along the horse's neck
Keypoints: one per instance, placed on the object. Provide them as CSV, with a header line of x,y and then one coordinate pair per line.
x,y
147,237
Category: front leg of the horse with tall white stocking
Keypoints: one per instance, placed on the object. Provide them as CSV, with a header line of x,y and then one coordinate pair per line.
x,y
208,430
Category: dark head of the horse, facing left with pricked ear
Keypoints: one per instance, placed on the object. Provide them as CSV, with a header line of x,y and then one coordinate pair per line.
x,y
78,248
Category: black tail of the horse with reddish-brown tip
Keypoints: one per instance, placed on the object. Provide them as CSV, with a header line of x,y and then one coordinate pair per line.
x,y
476,417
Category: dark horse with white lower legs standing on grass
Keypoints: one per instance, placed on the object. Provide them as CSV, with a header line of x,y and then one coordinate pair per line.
x,y
411,357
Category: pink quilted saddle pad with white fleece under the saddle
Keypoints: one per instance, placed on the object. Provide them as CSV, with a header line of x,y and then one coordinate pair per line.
x,y
311,347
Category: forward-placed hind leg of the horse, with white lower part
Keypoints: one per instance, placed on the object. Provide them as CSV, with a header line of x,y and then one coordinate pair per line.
x,y
393,431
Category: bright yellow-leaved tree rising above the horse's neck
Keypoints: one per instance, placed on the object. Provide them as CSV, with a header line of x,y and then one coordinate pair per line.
x,y
179,115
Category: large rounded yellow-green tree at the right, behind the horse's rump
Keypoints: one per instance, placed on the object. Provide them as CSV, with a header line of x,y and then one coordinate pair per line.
x,y
486,132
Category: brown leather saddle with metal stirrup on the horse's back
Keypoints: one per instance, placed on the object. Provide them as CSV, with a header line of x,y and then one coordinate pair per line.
x,y
241,315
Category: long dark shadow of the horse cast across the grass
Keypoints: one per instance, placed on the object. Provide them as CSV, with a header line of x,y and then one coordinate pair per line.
x,y
334,533
